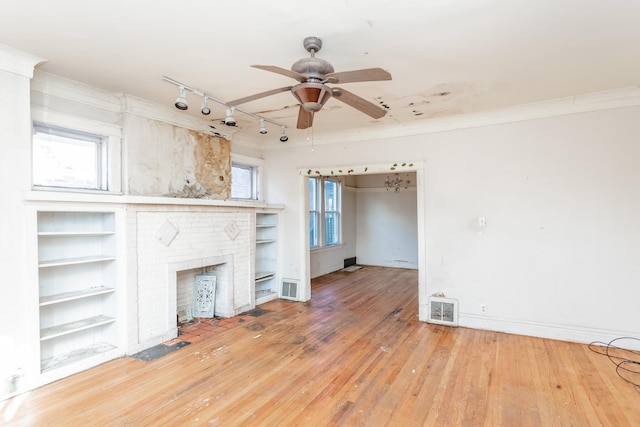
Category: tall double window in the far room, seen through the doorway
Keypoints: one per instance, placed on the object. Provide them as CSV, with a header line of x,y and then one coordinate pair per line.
x,y
324,212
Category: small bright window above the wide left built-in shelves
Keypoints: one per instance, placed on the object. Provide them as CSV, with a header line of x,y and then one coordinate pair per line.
x,y
68,158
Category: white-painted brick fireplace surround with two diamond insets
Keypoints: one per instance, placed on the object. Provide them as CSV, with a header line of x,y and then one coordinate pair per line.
x,y
166,242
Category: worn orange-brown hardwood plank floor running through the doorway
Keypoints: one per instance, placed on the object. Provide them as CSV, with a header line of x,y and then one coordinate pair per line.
x,y
356,355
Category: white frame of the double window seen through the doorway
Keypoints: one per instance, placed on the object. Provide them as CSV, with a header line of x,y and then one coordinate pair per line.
x,y
321,210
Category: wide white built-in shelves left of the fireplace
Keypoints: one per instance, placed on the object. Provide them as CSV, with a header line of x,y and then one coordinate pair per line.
x,y
76,286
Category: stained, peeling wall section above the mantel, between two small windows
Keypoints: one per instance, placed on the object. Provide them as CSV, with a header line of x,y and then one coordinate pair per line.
x,y
170,161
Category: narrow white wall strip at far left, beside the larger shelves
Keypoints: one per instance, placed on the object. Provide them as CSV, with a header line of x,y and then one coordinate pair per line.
x,y
16,325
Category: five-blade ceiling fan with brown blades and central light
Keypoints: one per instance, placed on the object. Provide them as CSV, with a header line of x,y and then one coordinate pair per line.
x,y
312,92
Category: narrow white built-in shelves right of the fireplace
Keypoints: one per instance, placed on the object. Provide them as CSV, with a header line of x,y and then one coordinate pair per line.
x,y
266,257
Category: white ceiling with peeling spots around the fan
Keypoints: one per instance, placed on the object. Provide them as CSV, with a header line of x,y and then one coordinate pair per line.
x,y
446,56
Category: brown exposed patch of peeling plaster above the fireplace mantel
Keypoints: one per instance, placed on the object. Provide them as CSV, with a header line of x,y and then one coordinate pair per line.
x,y
212,165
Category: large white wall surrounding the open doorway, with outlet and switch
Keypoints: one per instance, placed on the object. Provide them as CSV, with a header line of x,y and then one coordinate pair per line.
x,y
560,196
